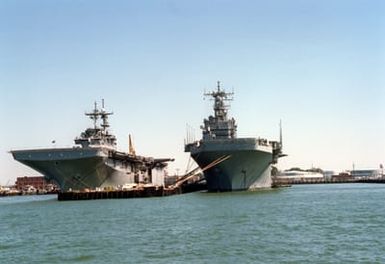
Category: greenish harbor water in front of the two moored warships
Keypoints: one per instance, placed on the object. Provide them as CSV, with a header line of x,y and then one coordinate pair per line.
x,y
335,223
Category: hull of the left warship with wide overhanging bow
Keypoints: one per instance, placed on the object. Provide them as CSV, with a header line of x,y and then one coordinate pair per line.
x,y
77,168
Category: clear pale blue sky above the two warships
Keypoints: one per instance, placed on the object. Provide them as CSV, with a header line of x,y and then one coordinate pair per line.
x,y
317,65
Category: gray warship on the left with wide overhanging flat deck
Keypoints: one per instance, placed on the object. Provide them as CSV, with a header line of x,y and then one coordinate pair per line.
x,y
94,161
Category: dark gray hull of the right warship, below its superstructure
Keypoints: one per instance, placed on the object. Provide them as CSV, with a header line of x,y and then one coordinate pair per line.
x,y
246,164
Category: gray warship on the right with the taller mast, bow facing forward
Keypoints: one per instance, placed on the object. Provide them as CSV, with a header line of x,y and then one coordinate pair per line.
x,y
241,163
